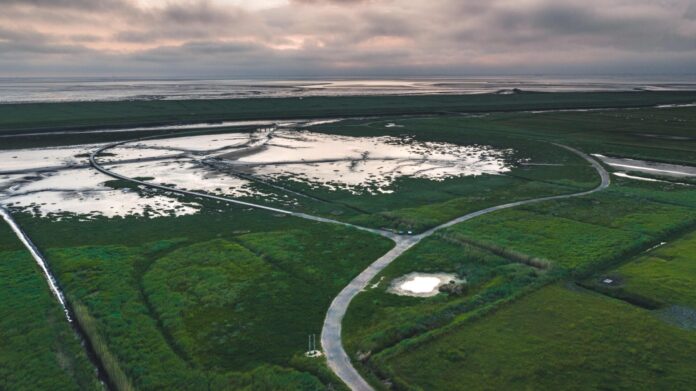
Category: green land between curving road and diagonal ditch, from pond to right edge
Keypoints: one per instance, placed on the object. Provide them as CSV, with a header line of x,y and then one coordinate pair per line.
x,y
558,239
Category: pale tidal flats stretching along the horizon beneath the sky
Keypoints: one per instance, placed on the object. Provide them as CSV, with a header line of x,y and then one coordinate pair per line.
x,y
66,90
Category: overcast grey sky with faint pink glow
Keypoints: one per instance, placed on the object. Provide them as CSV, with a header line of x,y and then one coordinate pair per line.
x,y
276,38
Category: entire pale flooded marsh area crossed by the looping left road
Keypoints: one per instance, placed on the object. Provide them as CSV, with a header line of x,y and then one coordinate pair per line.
x,y
58,181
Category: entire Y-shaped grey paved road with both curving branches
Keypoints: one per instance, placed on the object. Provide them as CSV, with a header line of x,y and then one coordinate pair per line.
x,y
336,356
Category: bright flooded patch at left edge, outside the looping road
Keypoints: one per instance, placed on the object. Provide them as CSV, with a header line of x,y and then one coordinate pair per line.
x,y
82,192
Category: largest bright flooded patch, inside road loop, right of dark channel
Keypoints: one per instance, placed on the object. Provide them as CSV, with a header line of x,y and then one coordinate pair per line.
x,y
363,164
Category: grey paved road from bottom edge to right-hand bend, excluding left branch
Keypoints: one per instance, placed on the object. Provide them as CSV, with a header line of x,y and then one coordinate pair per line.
x,y
336,356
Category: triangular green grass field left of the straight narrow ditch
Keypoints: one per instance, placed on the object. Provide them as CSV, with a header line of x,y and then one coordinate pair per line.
x,y
39,350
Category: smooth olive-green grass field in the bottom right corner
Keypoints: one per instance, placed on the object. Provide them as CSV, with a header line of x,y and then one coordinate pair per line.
x,y
555,338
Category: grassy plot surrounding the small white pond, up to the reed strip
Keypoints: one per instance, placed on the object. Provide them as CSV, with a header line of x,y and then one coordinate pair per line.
x,y
378,319
